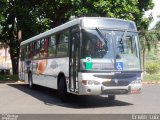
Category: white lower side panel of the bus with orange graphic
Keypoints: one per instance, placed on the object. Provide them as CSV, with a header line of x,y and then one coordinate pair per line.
x,y
45,72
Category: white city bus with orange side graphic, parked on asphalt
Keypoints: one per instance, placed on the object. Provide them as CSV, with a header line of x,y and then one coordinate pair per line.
x,y
85,56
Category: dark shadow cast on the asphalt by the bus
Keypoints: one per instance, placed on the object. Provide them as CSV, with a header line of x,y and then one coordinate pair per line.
x,y
50,97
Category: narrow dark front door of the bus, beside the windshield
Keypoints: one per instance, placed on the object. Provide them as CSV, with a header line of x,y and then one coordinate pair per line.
x,y
73,62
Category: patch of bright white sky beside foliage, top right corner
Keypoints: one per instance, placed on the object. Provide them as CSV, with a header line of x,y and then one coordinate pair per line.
x,y
155,12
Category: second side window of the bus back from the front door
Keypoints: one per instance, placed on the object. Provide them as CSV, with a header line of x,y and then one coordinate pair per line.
x,y
51,46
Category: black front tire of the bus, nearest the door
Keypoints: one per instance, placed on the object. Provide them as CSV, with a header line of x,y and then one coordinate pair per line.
x,y
62,89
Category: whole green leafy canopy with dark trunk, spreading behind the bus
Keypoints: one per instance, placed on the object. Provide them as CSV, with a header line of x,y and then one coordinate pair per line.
x,y
34,17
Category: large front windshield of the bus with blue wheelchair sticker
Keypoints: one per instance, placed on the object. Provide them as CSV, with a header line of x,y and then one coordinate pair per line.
x,y
110,50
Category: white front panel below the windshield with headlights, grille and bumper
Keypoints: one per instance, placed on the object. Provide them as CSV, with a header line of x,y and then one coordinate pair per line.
x,y
108,83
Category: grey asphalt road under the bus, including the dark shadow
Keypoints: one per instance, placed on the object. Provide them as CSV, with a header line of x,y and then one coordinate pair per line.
x,y
19,99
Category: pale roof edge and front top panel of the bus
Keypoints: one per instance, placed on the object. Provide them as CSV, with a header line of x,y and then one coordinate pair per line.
x,y
91,23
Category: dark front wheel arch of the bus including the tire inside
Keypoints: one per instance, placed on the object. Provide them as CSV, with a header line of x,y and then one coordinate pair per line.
x,y
62,87
